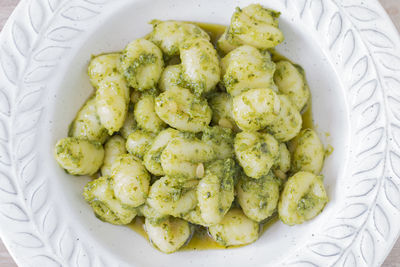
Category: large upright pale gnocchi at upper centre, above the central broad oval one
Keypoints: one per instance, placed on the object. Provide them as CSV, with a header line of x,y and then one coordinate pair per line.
x,y
200,65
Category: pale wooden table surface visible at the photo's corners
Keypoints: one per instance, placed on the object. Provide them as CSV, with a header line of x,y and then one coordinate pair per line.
x,y
391,6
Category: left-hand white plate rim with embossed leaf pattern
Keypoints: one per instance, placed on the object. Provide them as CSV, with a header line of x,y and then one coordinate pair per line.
x,y
37,34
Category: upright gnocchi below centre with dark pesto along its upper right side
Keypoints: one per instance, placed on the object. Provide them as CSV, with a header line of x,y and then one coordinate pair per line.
x,y
215,192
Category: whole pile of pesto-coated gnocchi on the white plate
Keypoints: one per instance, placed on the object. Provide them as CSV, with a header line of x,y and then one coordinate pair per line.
x,y
188,133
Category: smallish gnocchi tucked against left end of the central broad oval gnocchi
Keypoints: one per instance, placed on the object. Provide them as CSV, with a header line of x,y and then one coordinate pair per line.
x,y
145,115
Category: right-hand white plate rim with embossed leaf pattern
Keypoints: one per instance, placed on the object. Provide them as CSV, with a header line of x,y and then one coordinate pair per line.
x,y
371,67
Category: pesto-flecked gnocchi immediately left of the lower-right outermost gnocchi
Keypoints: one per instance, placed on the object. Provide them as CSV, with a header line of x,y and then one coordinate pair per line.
x,y
258,197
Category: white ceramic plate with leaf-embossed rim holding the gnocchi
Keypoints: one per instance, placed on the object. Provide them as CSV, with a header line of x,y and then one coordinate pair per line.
x,y
350,51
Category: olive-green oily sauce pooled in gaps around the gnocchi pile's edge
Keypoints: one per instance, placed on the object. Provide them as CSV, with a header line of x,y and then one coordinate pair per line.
x,y
201,240
